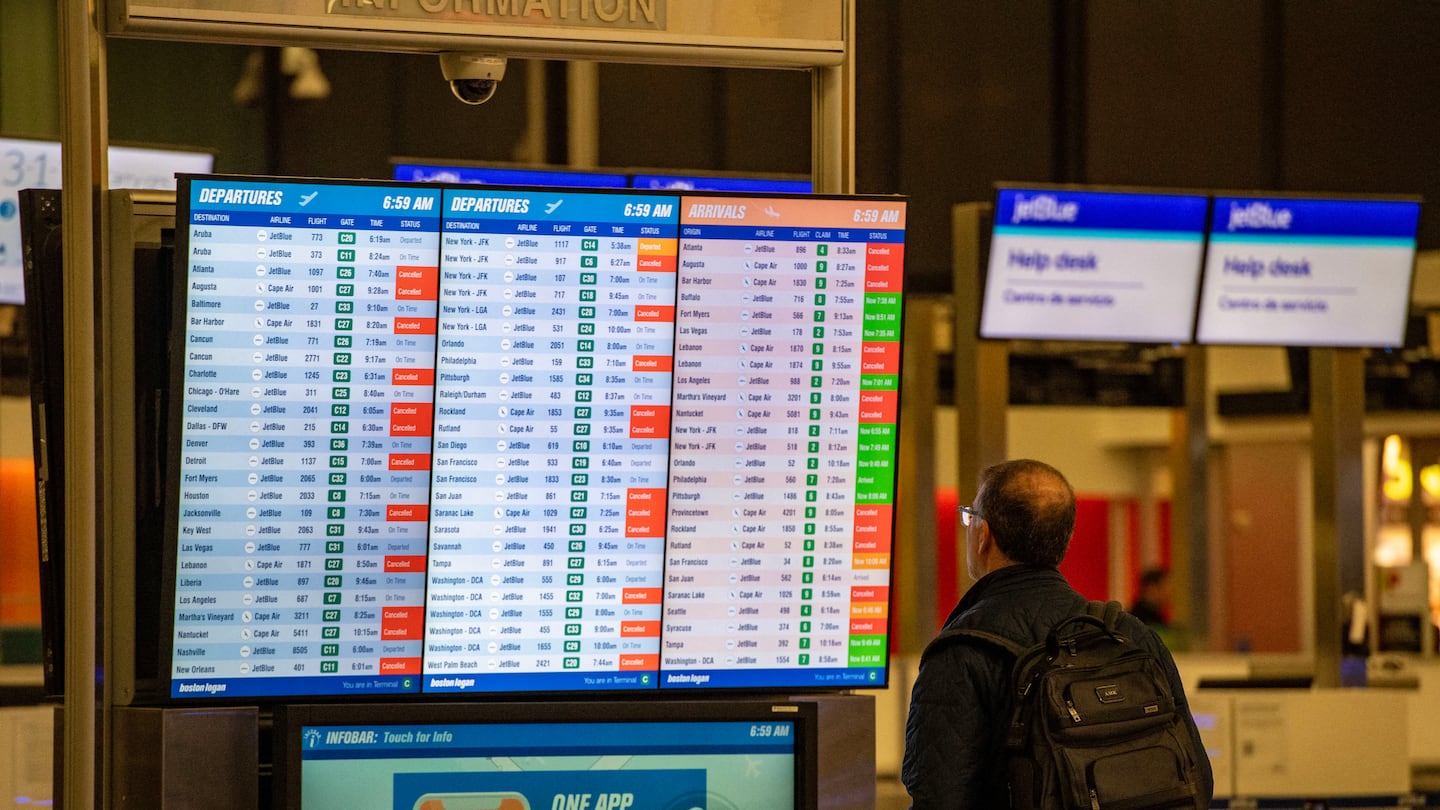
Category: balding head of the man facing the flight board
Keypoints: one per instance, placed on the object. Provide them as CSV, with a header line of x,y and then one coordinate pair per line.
x,y
1030,511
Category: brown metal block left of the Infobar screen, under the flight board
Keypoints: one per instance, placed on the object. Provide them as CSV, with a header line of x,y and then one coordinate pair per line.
x,y
197,757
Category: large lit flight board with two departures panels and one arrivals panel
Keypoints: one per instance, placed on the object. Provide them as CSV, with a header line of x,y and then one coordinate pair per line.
x,y
453,440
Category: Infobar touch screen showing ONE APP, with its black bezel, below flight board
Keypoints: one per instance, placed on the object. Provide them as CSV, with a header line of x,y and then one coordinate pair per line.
x,y
750,756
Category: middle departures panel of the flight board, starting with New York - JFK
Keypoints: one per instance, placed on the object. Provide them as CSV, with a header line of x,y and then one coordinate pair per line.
x,y
552,432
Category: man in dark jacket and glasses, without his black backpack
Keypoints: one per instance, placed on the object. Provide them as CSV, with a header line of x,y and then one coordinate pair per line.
x,y
961,706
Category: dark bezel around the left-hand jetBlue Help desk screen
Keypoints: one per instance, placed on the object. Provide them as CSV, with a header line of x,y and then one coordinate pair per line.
x,y
987,259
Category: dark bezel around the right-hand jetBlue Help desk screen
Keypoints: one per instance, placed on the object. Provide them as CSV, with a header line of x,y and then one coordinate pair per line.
x,y
1333,341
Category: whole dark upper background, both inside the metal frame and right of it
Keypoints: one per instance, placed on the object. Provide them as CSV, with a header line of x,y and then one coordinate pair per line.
x,y
953,96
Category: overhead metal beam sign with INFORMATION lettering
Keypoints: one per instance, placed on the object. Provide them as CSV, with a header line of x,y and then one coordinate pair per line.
x,y
698,32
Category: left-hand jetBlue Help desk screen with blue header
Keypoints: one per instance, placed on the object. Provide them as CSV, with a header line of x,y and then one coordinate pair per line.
x,y
1069,264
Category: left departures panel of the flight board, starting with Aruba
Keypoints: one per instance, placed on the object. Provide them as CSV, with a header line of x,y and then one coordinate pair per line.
x,y
310,344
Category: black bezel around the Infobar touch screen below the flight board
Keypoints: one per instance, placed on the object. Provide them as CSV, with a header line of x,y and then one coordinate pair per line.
x,y
292,720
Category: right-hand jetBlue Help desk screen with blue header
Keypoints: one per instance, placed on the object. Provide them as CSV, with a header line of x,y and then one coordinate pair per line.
x,y
1300,272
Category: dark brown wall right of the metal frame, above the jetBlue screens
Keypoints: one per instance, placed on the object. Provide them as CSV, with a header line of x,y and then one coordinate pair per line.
x,y
1207,94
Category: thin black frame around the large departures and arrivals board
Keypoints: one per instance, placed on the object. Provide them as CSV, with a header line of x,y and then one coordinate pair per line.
x,y
163,690
